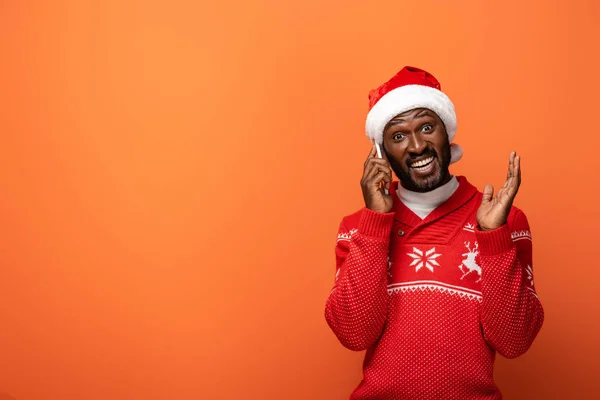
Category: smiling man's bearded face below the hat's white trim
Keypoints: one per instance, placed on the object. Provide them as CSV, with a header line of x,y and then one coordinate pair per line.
x,y
418,150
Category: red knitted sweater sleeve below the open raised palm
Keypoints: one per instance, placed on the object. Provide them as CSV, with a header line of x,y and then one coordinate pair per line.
x,y
512,314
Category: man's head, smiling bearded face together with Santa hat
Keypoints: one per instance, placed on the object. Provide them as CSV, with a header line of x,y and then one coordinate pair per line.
x,y
412,119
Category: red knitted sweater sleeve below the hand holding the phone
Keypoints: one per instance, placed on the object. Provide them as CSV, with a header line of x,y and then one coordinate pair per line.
x,y
357,307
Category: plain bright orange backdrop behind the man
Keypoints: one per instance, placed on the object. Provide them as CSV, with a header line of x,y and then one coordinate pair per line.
x,y
173,173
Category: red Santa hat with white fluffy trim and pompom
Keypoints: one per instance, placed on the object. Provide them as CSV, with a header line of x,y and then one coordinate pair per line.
x,y
409,89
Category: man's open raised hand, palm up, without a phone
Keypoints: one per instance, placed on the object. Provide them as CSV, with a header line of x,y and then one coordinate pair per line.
x,y
493,211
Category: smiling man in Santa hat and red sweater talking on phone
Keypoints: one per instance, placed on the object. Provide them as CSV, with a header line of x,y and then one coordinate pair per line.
x,y
433,277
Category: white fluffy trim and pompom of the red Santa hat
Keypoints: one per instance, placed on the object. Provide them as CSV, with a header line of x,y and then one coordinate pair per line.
x,y
406,98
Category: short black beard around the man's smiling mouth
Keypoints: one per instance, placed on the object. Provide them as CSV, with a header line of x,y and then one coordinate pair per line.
x,y
431,182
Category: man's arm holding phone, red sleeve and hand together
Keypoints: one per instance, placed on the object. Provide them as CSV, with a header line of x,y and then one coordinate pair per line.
x,y
357,307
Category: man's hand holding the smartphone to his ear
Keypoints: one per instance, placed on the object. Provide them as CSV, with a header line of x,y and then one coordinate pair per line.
x,y
376,171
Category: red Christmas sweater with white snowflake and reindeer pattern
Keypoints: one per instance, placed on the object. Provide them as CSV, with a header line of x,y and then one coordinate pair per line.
x,y
432,300
